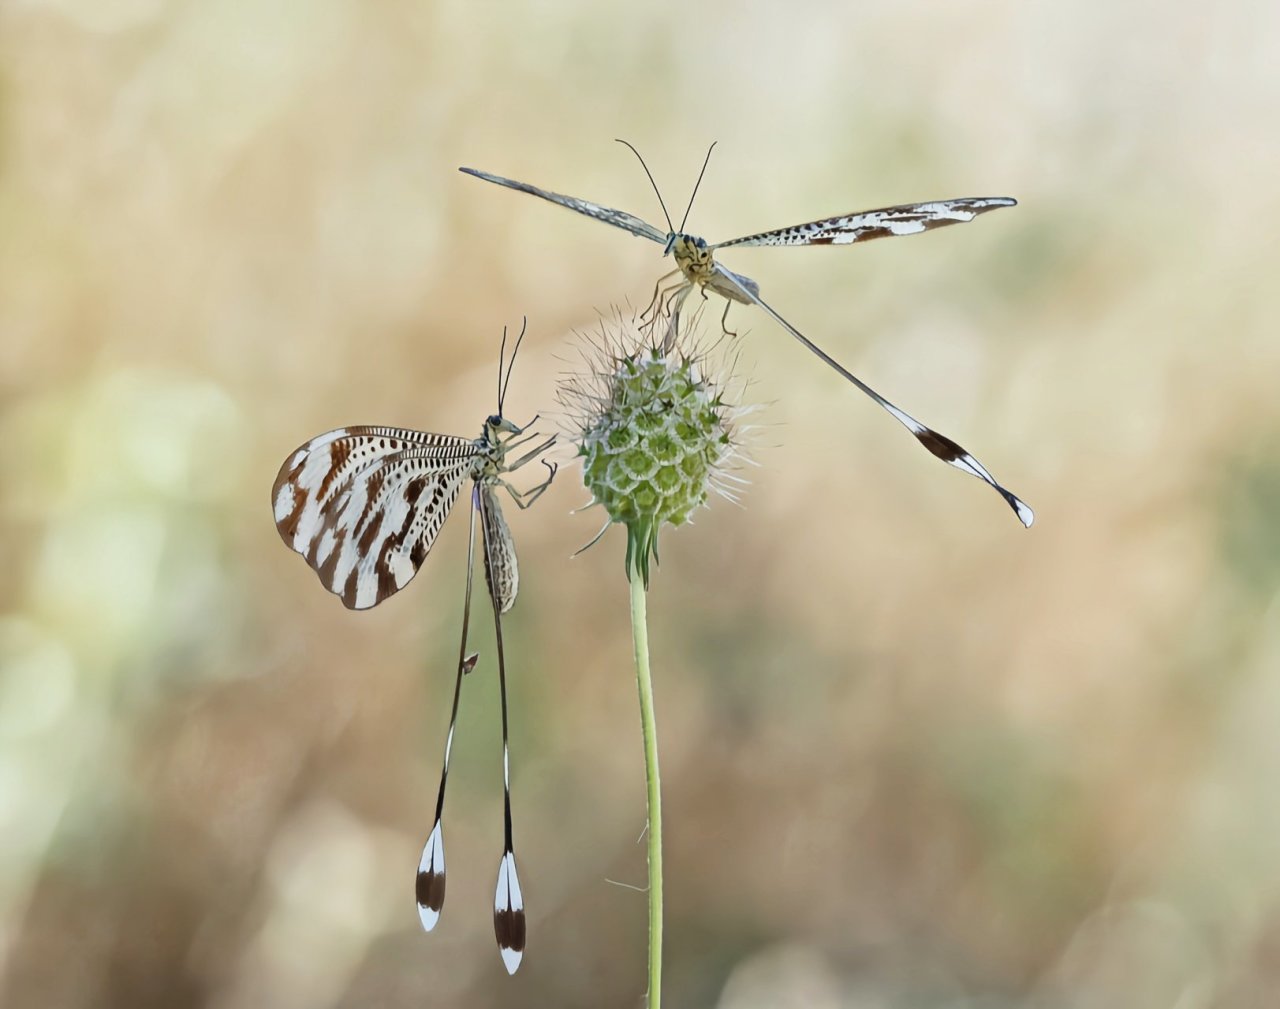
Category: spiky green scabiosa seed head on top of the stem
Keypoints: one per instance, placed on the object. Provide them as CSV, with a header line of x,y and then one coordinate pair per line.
x,y
655,431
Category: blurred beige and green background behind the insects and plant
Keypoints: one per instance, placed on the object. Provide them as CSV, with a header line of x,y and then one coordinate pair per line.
x,y
913,755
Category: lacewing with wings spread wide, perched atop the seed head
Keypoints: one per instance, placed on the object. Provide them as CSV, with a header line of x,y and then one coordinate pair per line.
x,y
698,270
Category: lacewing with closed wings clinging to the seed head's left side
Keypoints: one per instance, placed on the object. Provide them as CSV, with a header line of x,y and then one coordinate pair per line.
x,y
364,508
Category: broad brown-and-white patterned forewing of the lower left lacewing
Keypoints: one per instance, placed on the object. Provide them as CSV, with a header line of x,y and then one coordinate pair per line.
x,y
365,505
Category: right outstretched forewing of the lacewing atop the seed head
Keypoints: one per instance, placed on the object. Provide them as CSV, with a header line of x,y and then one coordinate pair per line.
x,y
884,223
